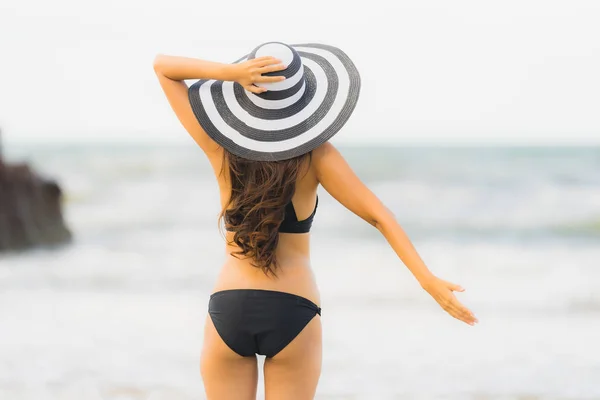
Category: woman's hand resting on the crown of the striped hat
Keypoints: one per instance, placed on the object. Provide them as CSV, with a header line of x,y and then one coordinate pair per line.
x,y
249,73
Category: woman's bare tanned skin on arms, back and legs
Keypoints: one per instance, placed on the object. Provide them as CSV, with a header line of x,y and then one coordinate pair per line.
x,y
293,373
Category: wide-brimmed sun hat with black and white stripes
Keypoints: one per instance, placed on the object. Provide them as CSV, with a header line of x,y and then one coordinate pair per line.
x,y
293,116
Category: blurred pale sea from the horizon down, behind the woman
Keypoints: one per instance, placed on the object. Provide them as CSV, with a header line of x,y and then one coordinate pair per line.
x,y
118,313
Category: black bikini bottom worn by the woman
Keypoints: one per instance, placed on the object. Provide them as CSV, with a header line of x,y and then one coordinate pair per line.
x,y
263,322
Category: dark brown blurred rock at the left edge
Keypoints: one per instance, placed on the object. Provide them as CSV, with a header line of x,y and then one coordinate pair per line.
x,y
30,209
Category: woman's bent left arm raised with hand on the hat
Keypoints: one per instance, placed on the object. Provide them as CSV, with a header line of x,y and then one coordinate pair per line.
x,y
172,71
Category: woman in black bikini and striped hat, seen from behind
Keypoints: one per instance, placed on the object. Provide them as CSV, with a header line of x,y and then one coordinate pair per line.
x,y
263,122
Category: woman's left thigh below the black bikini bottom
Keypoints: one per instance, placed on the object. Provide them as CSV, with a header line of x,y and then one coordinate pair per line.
x,y
226,375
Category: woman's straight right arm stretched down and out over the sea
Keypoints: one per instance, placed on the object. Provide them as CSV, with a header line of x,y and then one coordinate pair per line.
x,y
341,182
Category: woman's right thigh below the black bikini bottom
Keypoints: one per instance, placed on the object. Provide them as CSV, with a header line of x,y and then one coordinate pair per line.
x,y
294,372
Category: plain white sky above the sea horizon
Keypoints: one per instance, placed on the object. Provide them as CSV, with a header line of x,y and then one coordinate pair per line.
x,y
433,71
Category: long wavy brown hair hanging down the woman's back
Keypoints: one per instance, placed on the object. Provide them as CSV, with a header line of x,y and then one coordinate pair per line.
x,y
260,190
